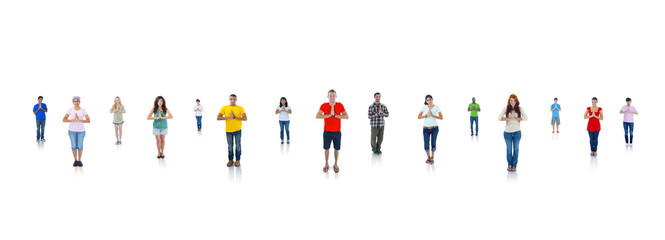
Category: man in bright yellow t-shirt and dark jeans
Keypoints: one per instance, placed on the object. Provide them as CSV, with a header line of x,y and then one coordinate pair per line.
x,y
233,115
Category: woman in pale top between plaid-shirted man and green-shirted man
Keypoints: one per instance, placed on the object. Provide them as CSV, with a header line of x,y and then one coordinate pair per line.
x,y
430,128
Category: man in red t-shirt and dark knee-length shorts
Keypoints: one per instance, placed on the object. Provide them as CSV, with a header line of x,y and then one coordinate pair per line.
x,y
332,113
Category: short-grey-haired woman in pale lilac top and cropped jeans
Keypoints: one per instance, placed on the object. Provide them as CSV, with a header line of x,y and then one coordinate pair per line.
x,y
76,117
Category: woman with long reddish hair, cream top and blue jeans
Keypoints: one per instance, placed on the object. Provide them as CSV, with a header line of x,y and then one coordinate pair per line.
x,y
513,114
